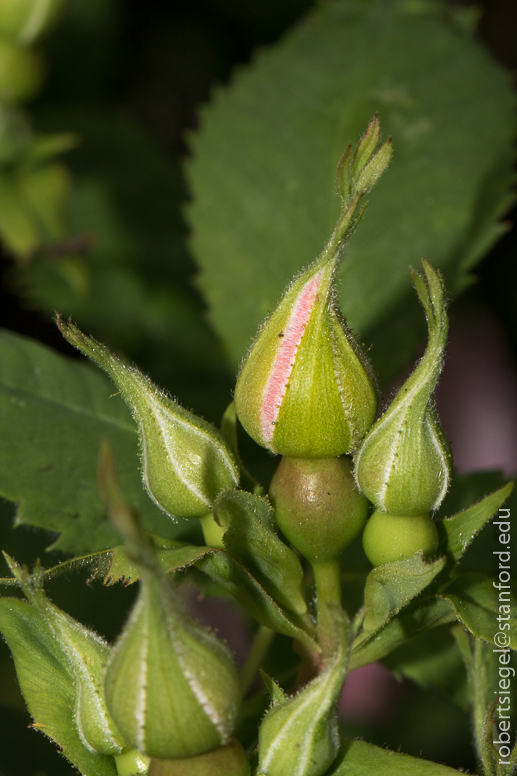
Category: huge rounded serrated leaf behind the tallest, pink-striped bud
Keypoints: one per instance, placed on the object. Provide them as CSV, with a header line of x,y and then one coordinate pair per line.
x,y
263,175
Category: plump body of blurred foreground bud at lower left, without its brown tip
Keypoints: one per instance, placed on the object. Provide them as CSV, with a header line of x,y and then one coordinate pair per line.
x,y
171,686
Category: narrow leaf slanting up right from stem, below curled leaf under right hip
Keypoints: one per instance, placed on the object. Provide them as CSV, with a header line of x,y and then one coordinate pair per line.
x,y
417,618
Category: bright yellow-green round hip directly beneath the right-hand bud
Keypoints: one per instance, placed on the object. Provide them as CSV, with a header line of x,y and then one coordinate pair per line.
x,y
388,538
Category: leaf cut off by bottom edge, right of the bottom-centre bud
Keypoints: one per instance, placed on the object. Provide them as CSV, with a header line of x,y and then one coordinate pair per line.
x,y
360,758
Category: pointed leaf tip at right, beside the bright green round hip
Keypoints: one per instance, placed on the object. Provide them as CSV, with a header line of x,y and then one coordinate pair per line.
x,y
462,528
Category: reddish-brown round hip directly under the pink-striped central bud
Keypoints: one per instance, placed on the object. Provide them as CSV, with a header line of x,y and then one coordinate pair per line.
x,y
317,505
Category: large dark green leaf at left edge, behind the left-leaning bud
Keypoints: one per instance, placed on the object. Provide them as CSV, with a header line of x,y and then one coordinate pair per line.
x,y
53,414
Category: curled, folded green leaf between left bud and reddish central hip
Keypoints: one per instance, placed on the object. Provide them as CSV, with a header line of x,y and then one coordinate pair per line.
x,y
251,537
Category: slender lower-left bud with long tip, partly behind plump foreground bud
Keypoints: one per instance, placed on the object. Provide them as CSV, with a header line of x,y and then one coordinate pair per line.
x,y
86,654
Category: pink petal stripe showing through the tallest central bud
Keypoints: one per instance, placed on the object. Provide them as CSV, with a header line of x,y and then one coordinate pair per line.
x,y
278,380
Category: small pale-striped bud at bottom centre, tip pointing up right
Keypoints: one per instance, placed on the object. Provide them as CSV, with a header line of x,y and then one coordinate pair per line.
x,y
299,735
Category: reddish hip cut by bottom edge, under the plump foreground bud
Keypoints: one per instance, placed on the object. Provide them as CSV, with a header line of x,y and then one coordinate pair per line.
x,y
229,760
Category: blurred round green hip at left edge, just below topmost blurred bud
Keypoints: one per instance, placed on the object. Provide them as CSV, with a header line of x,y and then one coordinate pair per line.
x,y
20,72
